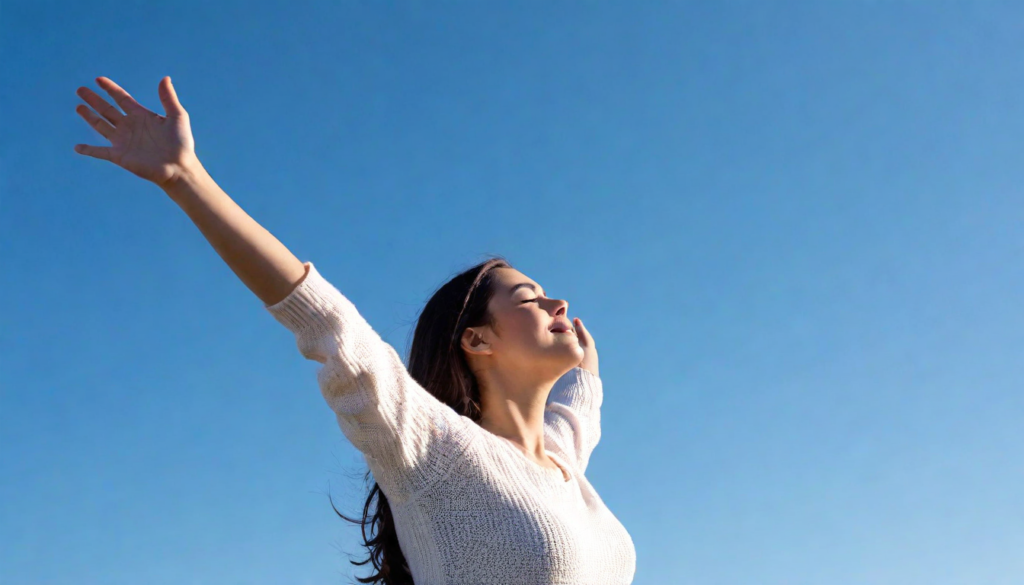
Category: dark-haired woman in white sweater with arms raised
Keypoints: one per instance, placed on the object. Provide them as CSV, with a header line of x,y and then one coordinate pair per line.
x,y
479,449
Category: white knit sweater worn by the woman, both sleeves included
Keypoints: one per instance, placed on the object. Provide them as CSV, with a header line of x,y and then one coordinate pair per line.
x,y
470,508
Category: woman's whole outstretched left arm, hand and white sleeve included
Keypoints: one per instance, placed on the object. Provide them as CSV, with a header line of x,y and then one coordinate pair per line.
x,y
410,438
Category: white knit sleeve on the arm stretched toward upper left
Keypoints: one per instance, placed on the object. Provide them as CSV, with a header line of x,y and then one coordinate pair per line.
x,y
408,437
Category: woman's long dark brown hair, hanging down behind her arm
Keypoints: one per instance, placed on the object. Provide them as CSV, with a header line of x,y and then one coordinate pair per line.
x,y
437,363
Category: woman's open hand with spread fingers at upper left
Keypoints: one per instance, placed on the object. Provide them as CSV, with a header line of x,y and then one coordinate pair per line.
x,y
153,147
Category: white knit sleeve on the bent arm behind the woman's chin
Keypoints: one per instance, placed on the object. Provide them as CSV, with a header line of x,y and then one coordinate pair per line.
x,y
573,415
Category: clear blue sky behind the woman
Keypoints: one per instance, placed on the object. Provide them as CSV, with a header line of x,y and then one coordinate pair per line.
x,y
794,230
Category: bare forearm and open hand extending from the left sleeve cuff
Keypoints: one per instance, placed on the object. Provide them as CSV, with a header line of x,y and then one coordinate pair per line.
x,y
161,150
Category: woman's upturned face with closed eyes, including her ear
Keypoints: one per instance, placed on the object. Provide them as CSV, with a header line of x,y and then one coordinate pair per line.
x,y
531,330
